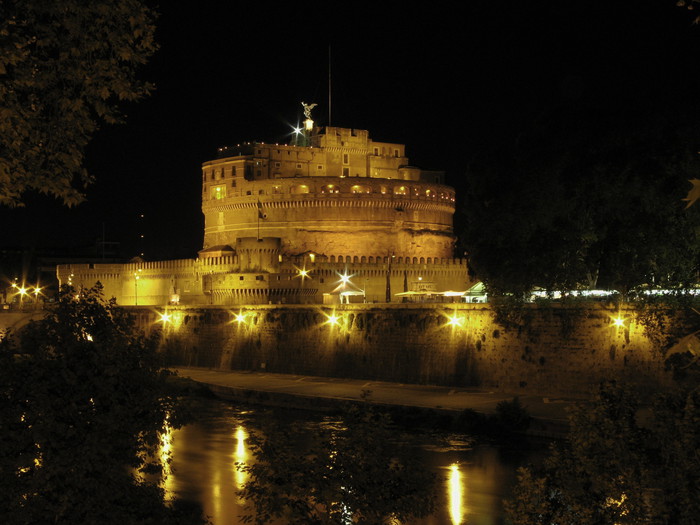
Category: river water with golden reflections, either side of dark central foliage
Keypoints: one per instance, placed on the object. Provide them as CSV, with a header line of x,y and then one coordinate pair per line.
x,y
472,477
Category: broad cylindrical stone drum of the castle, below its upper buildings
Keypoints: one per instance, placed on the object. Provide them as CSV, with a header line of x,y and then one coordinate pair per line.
x,y
336,216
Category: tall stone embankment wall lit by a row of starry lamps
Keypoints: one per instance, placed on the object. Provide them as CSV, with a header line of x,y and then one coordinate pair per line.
x,y
556,351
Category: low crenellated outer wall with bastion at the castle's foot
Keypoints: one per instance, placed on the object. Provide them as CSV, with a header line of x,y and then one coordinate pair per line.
x,y
261,276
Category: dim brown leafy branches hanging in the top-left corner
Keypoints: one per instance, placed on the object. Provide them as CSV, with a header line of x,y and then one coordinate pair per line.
x,y
64,66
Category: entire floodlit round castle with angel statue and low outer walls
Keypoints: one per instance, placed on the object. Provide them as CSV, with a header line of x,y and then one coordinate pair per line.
x,y
333,217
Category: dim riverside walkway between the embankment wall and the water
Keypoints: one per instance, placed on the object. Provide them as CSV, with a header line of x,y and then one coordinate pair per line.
x,y
549,415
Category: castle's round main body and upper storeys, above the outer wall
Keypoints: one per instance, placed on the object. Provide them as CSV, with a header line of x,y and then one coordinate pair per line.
x,y
344,194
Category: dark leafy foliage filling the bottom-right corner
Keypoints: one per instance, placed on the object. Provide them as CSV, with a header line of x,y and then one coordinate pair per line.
x,y
618,467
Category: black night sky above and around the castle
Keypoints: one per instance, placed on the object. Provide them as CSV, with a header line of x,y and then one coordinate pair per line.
x,y
449,85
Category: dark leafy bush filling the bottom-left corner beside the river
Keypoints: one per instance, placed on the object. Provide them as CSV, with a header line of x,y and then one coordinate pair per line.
x,y
83,405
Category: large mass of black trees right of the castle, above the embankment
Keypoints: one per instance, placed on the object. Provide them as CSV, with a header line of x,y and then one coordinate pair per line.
x,y
596,208
